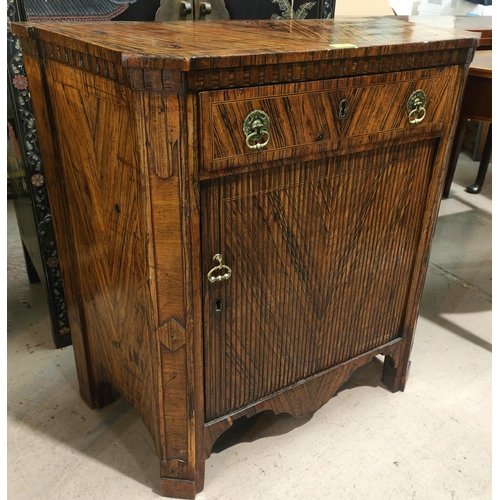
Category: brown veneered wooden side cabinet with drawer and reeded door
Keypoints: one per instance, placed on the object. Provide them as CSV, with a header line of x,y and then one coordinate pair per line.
x,y
244,209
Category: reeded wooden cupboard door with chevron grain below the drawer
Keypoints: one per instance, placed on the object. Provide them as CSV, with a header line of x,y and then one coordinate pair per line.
x,y
321,257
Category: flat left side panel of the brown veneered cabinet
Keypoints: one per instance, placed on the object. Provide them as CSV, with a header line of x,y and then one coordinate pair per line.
x,y
105,223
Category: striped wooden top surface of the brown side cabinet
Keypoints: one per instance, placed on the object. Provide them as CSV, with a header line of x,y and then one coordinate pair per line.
x,y
191,45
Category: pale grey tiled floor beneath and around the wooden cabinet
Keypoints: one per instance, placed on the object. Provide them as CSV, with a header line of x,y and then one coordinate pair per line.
x,y
432,442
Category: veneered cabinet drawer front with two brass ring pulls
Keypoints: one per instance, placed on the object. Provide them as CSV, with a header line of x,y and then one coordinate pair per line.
x,y
306,118
